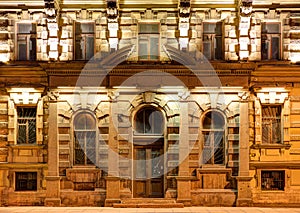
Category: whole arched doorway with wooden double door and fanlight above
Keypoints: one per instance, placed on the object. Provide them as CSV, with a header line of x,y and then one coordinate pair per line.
x,y
148,153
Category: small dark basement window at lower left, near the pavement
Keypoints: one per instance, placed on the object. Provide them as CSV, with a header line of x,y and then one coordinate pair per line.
x,y
26,181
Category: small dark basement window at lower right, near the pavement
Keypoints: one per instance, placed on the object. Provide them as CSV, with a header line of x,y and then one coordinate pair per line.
x,y
272,180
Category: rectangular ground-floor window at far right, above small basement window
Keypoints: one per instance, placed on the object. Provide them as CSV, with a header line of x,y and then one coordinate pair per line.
x,y
271,124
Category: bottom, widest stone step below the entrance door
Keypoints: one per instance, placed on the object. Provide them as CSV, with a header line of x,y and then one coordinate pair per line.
x,y
148,205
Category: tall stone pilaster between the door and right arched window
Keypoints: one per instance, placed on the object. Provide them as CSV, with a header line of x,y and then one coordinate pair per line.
x,y
183,178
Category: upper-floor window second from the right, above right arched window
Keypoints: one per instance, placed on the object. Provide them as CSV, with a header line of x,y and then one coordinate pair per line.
x,y
212,40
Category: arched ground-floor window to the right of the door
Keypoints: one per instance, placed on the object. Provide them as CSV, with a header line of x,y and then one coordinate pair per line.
x,y
213,138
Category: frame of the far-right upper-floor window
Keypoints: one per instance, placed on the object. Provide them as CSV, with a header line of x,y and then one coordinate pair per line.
x,y
269,37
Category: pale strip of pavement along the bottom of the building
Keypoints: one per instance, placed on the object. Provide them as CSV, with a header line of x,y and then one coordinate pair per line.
x,y
147,210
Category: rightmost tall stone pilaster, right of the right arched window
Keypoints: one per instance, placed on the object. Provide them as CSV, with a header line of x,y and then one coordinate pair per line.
x,y
243,180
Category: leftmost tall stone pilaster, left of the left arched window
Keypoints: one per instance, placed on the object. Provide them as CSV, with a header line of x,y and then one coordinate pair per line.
x,y
53,179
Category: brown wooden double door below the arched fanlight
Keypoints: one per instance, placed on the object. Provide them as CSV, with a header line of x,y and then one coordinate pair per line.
x,y
149,172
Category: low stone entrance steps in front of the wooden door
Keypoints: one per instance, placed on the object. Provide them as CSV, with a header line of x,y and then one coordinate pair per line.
x,y
148,203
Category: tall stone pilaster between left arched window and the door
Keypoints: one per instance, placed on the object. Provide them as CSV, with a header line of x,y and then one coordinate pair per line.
x,y
112,179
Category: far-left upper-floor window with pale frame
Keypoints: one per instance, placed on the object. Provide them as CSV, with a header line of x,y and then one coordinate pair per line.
x,y
26,41
